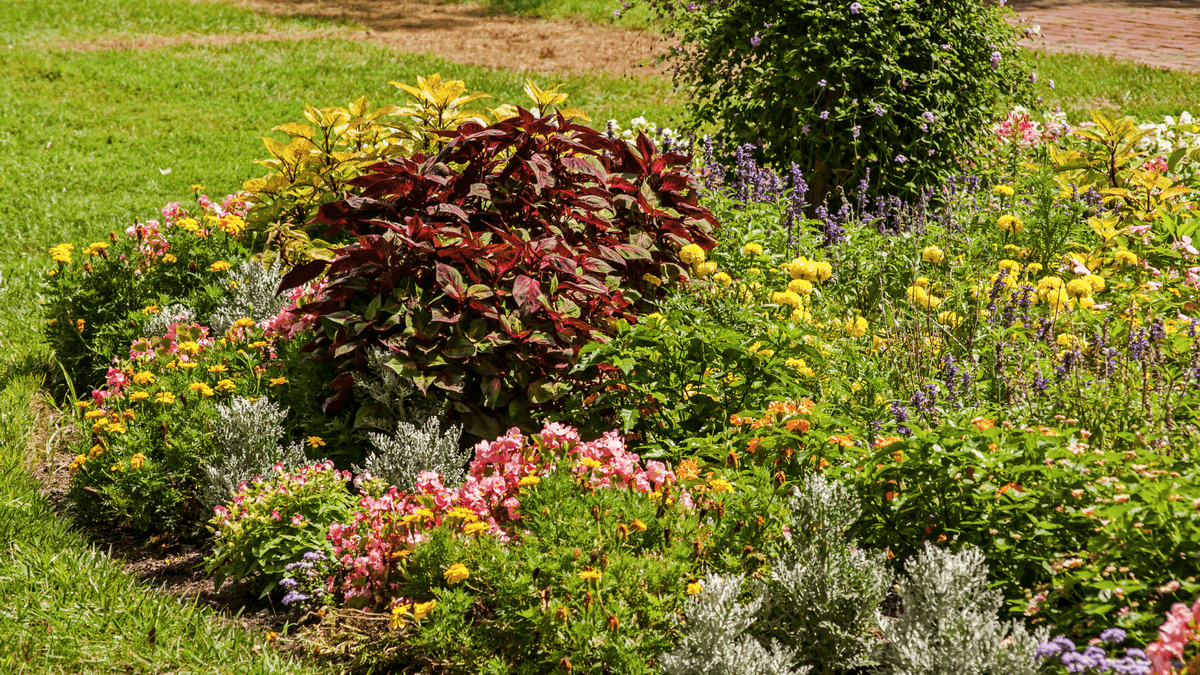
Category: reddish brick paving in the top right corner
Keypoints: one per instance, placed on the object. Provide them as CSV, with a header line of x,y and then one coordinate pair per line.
x,y
1156,33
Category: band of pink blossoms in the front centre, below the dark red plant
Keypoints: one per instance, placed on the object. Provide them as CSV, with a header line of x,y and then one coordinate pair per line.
x,y
385,527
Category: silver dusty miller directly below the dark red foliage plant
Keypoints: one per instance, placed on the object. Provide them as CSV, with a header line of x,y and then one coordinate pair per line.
x,y
409,437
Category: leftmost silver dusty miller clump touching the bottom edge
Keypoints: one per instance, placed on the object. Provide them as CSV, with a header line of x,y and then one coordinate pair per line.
x,y
717,641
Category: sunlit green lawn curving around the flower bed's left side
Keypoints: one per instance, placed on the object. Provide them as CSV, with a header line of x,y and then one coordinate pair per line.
x,y
94,141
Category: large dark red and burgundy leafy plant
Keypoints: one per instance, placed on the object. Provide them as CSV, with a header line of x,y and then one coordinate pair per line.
x,y
484,270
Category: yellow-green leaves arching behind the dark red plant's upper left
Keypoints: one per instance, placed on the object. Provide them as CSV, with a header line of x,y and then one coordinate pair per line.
x,y
339,145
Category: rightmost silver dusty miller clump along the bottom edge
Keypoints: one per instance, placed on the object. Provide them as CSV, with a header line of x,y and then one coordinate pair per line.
x,y
949,622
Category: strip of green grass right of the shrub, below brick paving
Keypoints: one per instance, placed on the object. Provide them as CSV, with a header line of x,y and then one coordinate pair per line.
x,y
1083,83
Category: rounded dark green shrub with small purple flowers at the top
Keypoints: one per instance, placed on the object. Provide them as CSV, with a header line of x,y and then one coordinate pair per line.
x,y
839,88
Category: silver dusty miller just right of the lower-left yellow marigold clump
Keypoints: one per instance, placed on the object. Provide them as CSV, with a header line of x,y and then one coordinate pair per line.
x,y
248,435
